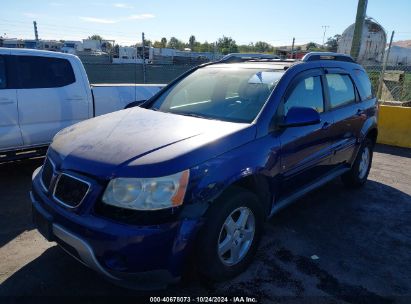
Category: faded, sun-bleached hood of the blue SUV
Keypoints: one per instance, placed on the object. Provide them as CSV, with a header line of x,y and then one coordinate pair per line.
x,y
144,143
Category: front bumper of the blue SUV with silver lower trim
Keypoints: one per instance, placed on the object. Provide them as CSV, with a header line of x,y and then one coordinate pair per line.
x,y
143,256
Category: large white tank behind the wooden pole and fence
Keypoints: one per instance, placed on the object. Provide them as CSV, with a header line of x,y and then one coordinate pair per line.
x,y
373,42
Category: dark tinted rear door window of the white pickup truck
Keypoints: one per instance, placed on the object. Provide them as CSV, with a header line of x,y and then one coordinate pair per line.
x,y
44,72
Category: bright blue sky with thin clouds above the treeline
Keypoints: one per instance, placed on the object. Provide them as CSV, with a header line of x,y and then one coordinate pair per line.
x,y
273,21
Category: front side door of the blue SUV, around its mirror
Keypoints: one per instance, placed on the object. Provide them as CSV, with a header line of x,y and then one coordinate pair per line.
x,y
306,151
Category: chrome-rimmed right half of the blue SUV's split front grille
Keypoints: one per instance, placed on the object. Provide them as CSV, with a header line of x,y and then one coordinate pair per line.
x,y
70,190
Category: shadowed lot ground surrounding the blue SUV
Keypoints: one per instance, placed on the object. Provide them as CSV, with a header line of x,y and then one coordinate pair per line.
x,y
362,239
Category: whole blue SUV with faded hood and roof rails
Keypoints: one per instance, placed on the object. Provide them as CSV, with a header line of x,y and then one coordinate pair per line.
x,y
193,173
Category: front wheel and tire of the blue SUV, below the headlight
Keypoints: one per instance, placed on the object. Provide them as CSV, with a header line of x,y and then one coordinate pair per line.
x,y
214,237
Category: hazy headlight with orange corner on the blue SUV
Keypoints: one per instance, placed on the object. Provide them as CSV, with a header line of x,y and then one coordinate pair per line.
x,y
147,193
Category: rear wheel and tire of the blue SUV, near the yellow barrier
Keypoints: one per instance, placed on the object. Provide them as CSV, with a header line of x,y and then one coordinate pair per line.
x,y
358,174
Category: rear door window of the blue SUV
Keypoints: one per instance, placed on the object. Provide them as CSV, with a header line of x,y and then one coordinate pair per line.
x,y
340,89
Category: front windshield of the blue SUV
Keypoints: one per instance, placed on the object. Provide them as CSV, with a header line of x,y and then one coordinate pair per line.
x,y
229,94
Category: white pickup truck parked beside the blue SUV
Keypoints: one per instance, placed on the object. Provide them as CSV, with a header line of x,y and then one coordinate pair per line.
x,y
43,92
